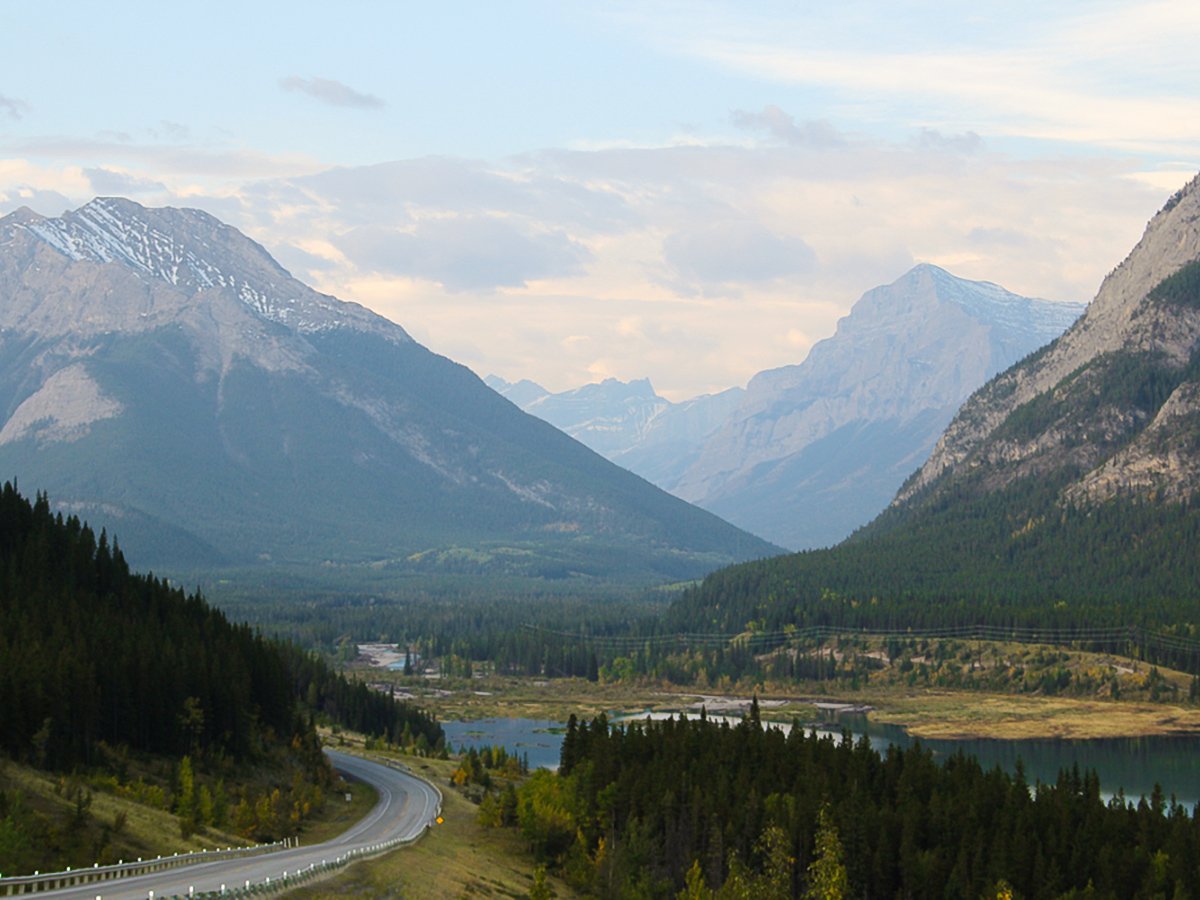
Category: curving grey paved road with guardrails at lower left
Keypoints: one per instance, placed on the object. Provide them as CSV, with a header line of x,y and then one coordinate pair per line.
x,y
406,807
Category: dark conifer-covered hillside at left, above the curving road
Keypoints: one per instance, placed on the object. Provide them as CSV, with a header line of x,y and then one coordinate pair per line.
x,y
97,653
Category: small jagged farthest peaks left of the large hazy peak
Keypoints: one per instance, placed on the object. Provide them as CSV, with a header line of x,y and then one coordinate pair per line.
x,y
628,423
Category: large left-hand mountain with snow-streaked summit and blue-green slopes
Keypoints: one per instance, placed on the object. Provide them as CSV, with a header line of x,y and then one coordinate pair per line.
x,y
163,376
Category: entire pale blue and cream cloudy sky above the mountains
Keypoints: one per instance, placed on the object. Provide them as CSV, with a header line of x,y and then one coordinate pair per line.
x,y
566,193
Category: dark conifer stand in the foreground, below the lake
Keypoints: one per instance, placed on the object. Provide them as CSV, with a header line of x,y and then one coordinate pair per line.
x,y
691,808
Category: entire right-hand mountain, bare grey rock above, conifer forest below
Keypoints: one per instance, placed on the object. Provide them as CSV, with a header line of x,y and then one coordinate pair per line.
x,y
1063,494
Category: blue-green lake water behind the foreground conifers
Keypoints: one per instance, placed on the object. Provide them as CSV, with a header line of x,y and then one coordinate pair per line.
x,y
1131,764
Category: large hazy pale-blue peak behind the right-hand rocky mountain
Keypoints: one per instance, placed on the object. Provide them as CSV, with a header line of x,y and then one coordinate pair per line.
x,y
818,449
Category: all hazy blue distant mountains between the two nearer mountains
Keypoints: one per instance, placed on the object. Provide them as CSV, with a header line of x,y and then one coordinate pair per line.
x,y
812,452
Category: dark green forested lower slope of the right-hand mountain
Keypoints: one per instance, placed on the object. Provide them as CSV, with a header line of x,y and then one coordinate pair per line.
x,y
1012,559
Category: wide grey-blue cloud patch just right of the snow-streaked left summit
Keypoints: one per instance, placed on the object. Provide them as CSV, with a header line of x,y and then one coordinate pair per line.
x,y
465,254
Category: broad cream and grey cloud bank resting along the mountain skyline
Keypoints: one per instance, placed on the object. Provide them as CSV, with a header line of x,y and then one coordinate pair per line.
x,y
697,266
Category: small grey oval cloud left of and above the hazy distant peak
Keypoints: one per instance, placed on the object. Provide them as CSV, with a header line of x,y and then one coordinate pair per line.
x,y
723,253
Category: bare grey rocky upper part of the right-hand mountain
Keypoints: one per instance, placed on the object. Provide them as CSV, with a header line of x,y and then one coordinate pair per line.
x,y
1113,405
